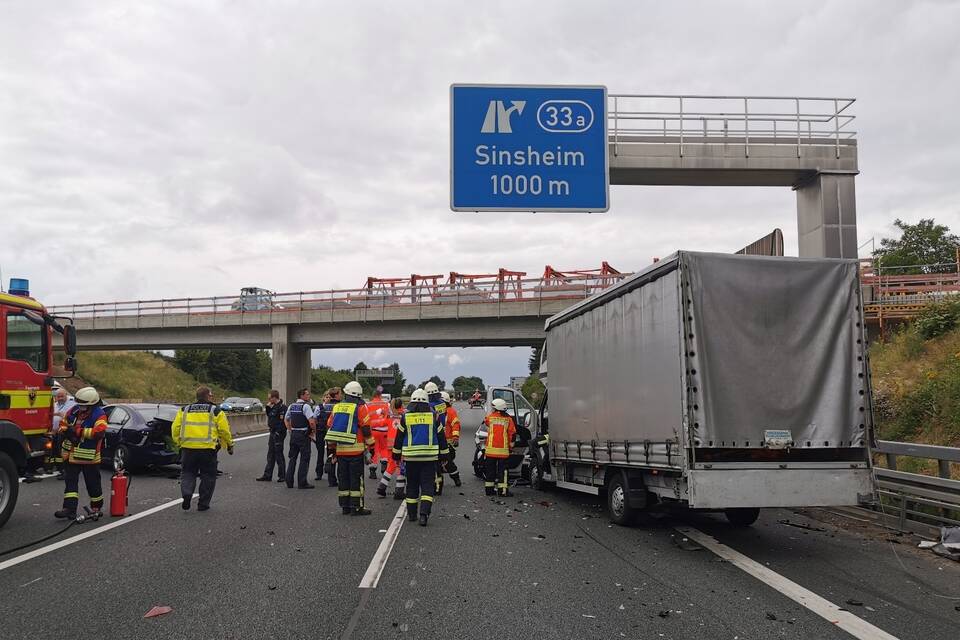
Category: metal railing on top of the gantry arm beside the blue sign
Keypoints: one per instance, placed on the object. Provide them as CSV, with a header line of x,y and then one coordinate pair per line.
x,y
722,120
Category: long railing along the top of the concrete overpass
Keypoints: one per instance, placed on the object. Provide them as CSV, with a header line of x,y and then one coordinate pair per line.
x,y
382,297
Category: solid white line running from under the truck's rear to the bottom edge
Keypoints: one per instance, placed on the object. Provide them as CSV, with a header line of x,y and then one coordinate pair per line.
x,y
857,627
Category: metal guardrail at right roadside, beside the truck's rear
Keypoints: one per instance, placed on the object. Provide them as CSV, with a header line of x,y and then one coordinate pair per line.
x,y
906,492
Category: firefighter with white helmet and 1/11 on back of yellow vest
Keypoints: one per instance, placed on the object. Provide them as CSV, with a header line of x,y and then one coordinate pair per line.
x,y
420,442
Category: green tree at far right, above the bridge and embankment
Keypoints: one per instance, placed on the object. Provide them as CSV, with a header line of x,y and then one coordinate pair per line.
x,y
924,243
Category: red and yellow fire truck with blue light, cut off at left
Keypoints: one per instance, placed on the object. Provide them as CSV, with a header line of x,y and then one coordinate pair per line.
x,y
26,382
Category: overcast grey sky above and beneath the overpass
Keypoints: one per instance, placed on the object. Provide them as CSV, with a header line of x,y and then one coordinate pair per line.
x,y
163,149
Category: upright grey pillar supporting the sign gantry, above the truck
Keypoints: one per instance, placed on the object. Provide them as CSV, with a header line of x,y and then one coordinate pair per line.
x,y
827,216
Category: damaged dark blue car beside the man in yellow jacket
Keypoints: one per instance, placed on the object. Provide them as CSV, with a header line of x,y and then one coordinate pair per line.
x,y
138,435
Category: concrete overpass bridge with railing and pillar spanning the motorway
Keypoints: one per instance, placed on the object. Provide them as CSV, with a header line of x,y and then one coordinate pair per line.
x,y
462,310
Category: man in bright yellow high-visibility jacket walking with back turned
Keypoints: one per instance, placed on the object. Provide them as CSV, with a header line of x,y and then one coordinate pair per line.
x,y
198,430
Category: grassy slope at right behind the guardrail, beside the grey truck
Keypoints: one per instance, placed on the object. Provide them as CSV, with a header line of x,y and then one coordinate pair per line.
x,y
916,382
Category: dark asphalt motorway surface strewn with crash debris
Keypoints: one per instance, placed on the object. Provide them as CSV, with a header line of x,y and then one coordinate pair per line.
x,y
272,562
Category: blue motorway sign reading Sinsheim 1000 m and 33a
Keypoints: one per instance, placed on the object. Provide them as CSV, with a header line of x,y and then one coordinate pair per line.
x,y
528,148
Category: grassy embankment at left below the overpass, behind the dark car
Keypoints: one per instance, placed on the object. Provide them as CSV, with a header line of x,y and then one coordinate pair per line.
x,y
139,375
